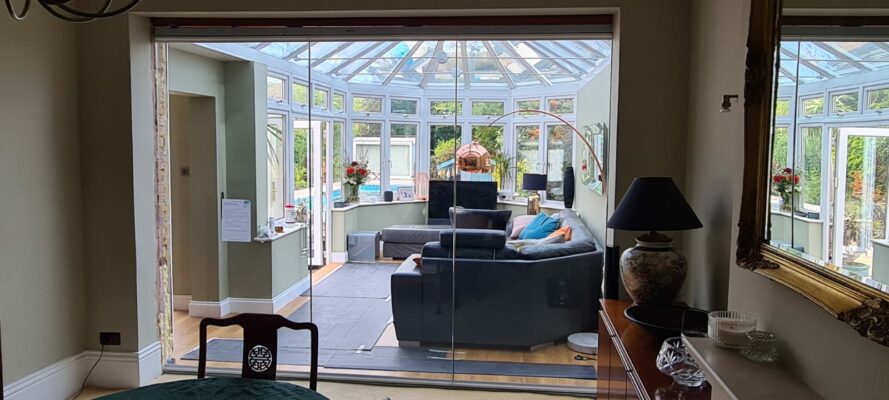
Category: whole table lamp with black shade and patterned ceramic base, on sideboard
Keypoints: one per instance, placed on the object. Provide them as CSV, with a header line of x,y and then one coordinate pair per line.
x,y
652,271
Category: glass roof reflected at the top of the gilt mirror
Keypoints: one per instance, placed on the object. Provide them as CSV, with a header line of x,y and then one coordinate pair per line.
x,y
809,62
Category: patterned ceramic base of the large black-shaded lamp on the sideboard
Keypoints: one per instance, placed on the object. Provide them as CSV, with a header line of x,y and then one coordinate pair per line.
x,y
652,271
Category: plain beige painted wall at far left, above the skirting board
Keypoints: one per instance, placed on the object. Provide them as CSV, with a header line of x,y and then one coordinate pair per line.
x,y
42,307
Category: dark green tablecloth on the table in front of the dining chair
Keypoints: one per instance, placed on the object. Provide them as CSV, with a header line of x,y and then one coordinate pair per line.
x,y
219,389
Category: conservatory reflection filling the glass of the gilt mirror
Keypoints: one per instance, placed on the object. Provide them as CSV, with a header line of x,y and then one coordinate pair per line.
x,y
830,156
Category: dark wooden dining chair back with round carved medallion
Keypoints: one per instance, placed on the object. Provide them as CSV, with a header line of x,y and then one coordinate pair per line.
x,y
260,355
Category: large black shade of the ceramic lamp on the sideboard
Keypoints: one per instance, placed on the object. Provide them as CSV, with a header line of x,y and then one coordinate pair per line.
x,y
653,204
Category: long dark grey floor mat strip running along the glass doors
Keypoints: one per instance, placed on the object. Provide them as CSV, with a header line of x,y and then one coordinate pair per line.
x,y
396,359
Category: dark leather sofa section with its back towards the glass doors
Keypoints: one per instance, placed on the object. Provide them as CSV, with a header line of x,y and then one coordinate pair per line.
x,y
501,295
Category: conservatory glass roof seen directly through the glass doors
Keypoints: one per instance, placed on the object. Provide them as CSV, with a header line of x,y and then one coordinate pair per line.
x,y
431,63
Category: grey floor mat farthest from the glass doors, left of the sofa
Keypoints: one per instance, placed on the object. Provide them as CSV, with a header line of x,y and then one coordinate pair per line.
x,y
357,280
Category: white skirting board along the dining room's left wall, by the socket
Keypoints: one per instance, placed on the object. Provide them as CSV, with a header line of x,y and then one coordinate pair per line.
x,y
63,378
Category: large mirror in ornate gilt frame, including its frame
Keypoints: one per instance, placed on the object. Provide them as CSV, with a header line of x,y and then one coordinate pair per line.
x,y
816,161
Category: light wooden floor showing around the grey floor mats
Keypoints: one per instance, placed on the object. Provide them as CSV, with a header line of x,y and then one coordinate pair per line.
x,y
185,339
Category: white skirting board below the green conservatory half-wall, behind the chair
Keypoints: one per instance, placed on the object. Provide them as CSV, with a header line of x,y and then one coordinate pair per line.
x,y
210,309
